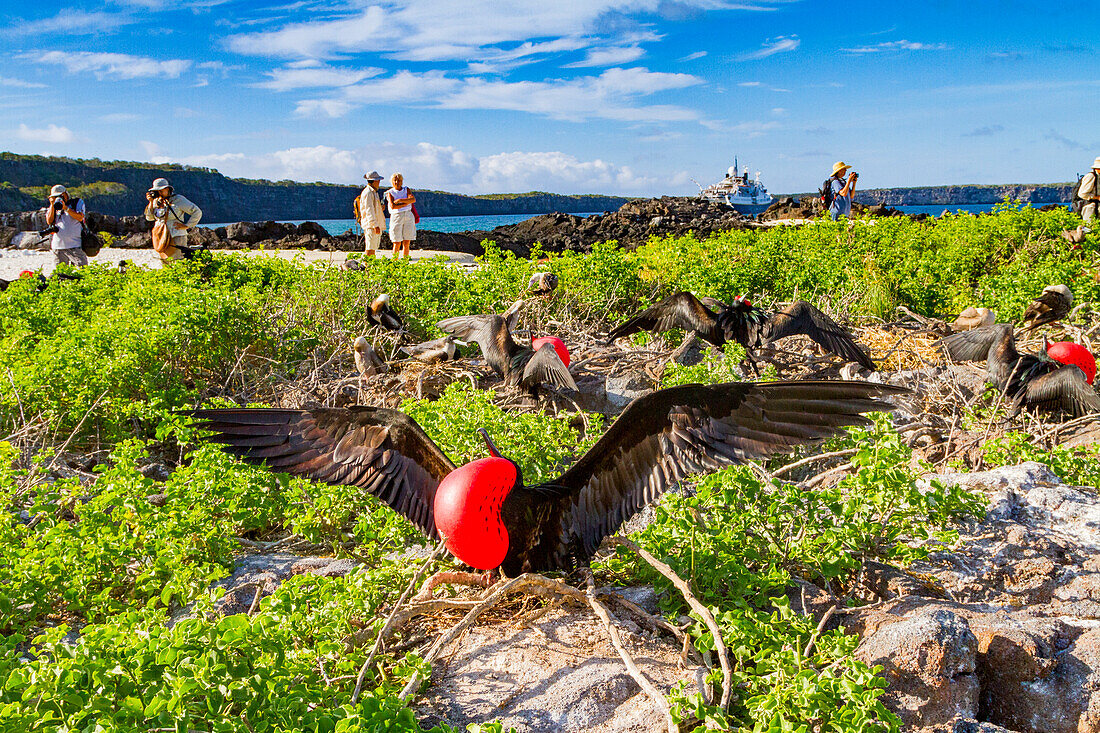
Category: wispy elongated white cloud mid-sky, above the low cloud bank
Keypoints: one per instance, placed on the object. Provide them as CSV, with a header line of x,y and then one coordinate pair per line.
x,y
612,95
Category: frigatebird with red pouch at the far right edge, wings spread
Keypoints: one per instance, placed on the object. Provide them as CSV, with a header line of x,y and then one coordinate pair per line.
x,y
1031,380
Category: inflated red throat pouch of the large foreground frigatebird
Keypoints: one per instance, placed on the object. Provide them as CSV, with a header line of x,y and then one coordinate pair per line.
x,y
468,511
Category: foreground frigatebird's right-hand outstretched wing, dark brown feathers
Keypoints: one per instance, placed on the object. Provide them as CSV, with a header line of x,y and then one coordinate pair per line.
x,y
668,435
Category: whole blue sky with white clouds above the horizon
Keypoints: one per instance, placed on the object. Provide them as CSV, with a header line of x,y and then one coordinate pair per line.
x,y
609,96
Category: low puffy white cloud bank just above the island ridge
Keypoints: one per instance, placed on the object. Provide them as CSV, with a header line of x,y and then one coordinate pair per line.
x,y
441,168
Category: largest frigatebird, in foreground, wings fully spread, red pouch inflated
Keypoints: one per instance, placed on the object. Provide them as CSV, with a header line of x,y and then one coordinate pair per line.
x,y
486,512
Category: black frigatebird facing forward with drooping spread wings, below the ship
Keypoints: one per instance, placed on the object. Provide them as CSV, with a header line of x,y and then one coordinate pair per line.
x,y
752,327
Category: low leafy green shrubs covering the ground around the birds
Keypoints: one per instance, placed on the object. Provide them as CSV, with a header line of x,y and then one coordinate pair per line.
x,y
93,571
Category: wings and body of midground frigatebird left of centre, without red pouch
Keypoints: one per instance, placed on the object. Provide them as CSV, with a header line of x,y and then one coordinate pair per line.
x,y
520,366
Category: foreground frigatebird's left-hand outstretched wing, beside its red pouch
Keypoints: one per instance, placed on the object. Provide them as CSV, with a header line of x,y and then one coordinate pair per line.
x,y
383,452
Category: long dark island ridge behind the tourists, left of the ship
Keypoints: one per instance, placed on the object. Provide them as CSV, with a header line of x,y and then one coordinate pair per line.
x,y
118,189
